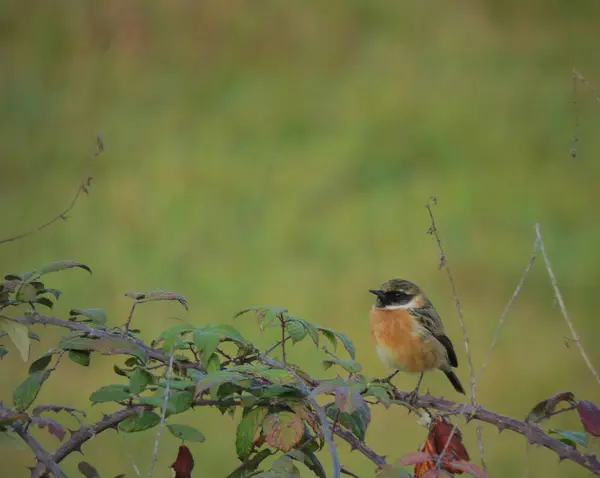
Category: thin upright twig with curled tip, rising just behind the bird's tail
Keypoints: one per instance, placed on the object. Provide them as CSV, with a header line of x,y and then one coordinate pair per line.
x,y
433,230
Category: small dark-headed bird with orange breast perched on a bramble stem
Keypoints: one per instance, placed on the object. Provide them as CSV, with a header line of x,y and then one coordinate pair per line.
x,y
408,333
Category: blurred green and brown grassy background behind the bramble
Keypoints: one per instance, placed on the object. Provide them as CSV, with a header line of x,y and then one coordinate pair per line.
x,y
282,153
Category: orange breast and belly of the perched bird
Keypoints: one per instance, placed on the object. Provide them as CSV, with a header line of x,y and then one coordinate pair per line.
x,y
403,344
